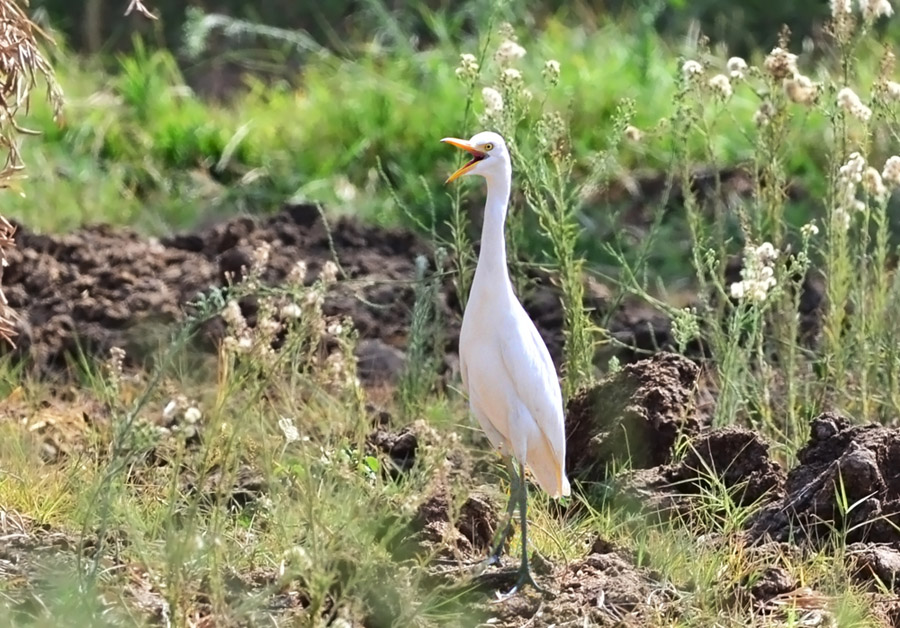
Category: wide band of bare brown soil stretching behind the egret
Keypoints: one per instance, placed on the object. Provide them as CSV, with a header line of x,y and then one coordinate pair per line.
x,y
101,287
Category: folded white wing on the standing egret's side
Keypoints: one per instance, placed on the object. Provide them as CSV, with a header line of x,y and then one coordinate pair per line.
x,y
533,375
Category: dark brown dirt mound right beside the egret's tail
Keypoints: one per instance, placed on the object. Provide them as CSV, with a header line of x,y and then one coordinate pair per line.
x,y
634,415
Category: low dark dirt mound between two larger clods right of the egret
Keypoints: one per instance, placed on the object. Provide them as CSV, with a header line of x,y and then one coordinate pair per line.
x,y
737,458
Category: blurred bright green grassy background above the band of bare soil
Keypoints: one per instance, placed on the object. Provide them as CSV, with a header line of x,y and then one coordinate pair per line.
x,y
230,107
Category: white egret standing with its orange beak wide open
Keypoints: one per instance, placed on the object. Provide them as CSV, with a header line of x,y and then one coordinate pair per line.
x,y
505,366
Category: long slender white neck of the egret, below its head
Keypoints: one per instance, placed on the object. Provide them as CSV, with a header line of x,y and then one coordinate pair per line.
x,y
492,268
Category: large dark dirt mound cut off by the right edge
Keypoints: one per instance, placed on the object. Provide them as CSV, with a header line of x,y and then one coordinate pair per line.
x,y
846,480
